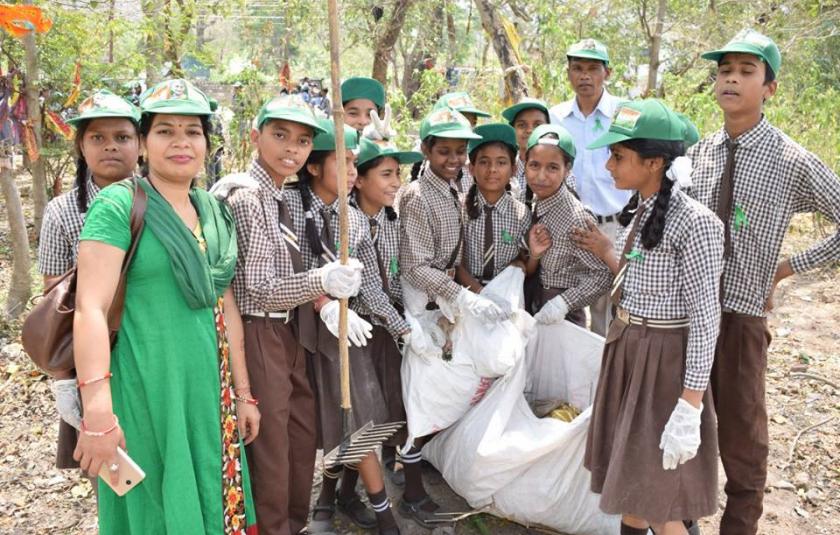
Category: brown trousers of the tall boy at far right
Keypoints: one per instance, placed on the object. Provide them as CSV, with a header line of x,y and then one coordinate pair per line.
x,y
738,391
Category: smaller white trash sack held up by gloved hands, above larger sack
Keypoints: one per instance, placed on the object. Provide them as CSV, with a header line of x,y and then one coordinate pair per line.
x,y
441,385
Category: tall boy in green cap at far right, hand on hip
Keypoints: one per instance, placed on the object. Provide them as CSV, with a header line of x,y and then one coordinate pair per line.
x,y
755,178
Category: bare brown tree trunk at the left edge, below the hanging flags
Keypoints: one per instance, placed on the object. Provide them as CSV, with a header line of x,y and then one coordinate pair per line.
x,y
20,287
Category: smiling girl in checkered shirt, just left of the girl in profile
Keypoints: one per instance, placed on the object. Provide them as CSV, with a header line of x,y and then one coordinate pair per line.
x,y
569,278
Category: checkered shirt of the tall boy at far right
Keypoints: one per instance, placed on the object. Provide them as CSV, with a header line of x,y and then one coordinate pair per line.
x,y
774,178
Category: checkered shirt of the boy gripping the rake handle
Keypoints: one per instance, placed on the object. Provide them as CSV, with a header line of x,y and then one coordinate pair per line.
x,y
265,280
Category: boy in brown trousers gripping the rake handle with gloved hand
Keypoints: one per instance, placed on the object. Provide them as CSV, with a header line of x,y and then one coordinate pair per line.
x,y
274,291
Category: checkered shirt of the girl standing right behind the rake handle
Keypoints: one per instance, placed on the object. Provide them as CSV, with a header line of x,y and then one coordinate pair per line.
x,y
371,295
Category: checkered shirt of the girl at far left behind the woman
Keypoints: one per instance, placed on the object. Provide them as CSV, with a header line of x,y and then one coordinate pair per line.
x,y
60,230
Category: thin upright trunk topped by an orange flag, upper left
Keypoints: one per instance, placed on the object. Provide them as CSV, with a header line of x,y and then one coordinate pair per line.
x,y
33,111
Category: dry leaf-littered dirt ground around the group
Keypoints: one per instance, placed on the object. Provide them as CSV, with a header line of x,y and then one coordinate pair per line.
x,y
802,495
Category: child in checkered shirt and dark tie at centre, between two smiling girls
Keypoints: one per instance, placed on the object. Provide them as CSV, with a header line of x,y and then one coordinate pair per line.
x,y
489,206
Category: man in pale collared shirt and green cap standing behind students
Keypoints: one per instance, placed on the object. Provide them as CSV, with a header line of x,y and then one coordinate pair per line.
x,y
586,117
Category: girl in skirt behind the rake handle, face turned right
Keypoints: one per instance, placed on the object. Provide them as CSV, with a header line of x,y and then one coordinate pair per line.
x,y
314,204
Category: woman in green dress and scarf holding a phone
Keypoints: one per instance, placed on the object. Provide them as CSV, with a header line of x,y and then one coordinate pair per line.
x,y
173,391
